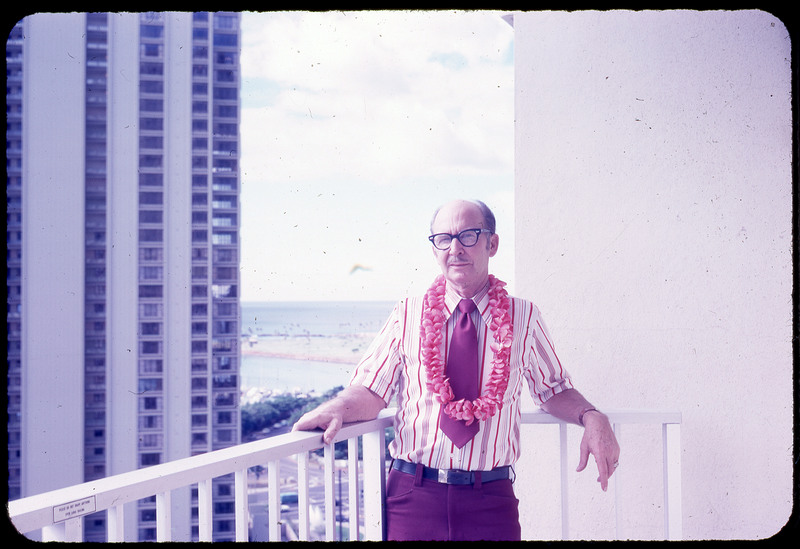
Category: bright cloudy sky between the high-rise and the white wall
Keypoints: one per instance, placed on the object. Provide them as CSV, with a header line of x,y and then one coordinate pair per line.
x,y
355,127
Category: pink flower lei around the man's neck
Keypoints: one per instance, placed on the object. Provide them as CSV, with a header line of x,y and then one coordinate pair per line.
x,y
432,329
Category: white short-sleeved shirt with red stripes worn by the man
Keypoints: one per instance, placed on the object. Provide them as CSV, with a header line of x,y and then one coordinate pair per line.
x,y
392,368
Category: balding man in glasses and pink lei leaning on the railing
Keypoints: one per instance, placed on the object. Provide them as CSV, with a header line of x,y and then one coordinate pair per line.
x,y
454,443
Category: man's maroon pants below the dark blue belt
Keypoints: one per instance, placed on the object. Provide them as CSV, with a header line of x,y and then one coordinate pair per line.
x,y
421,509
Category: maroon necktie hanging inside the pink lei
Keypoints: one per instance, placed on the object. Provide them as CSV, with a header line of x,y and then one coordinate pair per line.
x,y
462,369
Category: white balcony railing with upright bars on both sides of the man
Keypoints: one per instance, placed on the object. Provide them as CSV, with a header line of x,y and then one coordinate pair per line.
x,y
36,512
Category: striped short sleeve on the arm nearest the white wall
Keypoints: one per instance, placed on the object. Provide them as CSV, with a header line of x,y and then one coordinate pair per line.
x,y
545,374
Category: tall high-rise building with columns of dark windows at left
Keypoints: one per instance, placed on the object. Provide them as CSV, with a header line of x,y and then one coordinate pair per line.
x,y
122,148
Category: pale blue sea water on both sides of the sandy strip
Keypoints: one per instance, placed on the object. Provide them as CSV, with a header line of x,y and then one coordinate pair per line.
x,y
316,319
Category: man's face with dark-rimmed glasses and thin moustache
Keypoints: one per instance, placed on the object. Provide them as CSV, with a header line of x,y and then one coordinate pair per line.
x,y
465,268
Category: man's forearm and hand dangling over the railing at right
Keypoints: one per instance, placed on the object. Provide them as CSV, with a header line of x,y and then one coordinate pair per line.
x,y
598,436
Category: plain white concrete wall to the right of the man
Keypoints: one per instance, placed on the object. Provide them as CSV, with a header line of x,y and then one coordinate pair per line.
x,y
653,229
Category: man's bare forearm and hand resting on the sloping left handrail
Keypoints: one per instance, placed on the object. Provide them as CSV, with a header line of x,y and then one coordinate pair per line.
x,y
354,403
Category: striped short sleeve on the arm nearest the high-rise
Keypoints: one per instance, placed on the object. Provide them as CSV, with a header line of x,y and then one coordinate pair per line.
x,y
379,368
